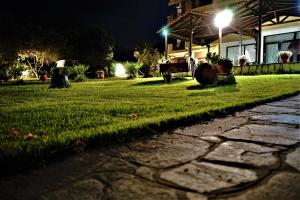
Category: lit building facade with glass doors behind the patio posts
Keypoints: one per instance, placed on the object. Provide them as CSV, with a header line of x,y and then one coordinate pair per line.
x,y
280,30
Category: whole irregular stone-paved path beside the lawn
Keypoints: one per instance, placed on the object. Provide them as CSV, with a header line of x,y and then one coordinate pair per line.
x,y
254,154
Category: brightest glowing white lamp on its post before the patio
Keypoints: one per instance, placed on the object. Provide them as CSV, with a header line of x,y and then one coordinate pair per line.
x,y
222,20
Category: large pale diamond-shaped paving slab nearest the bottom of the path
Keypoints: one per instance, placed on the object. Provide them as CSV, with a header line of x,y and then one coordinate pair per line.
x,y
206,177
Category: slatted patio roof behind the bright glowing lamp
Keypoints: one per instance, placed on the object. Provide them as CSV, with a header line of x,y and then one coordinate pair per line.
x,y
245,21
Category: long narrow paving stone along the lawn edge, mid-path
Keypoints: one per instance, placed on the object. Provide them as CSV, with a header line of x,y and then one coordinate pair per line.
x,y
212,128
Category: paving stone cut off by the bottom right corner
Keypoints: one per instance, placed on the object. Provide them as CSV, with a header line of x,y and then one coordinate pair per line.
x,y
281,186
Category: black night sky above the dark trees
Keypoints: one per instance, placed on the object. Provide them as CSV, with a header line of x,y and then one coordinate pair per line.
x,y
129,22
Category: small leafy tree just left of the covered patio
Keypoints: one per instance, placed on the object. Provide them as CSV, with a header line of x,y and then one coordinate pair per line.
x,y
149,58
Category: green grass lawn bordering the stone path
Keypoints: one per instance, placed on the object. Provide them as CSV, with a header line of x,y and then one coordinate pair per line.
x,y
36,120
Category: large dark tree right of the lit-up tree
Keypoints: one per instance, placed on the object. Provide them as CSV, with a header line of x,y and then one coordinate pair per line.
x,y
90,46
